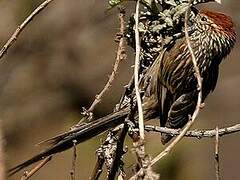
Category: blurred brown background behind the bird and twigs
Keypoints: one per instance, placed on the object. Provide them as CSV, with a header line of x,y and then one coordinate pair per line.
x,y
62,60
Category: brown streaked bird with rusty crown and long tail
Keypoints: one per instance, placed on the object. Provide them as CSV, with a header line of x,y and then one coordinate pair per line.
x,y
171,94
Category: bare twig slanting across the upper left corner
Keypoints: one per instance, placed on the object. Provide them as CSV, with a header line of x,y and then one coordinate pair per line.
x,y
20,28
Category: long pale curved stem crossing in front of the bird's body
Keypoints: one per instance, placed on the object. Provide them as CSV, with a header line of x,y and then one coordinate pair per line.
x,y
167,150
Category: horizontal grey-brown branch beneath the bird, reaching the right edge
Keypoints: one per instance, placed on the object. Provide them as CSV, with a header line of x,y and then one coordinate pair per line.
x,y
195,133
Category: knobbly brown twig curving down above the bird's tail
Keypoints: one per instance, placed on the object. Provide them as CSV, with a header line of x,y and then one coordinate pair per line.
x,y
120,56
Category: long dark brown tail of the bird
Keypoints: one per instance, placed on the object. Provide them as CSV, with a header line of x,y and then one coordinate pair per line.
x,y
82,133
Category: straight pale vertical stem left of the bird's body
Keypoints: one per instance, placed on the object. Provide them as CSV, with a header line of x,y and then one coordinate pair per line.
x,y
136,73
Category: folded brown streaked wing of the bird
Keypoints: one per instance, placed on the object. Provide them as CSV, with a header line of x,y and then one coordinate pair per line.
x,y
177,98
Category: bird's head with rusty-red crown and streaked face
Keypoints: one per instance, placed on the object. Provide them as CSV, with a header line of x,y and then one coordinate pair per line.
x,y
215,31
